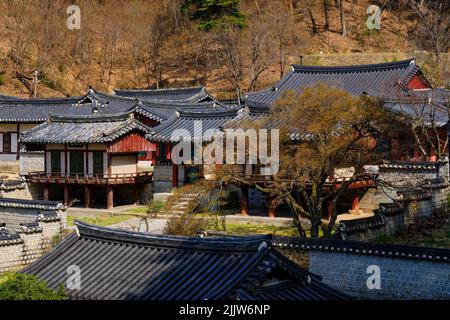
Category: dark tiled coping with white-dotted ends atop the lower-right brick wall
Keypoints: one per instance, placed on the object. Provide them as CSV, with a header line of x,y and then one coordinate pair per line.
x,y
364,248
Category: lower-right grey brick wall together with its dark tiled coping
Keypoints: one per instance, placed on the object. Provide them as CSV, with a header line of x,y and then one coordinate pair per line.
x,y
373,271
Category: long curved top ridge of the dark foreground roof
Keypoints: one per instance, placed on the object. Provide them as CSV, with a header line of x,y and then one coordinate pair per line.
x,y
244,244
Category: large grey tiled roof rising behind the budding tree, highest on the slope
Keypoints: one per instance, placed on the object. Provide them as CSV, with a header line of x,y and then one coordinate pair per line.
x,y
384,80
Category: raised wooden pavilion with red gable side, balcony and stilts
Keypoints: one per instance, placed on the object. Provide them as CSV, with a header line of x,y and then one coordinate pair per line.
x,y
96,158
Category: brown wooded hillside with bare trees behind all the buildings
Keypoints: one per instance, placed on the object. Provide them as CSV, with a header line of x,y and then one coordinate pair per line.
x,y
231,46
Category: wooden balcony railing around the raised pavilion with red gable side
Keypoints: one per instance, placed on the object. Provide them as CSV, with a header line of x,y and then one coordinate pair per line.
x,y
120,178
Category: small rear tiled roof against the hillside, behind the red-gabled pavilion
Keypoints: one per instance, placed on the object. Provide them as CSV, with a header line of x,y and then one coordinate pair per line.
x,y
191,94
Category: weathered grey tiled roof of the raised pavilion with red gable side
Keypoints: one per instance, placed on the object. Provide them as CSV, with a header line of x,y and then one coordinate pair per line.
x,y
83,129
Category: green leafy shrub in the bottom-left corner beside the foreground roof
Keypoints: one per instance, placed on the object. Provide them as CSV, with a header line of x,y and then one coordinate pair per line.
x,y
27,287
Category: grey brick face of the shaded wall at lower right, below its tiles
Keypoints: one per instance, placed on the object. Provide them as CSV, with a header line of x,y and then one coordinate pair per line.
x,y
400,278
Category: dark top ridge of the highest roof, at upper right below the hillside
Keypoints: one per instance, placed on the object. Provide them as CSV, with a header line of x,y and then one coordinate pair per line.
x,y
403,64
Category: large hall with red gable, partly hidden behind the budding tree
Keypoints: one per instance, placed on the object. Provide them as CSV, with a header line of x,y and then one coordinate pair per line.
x,y
401,85
